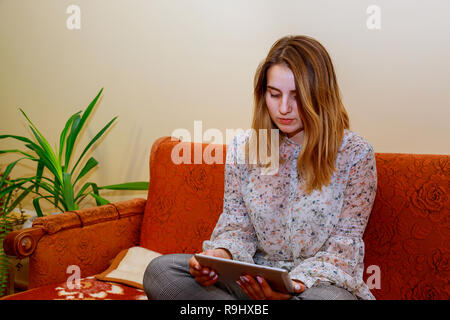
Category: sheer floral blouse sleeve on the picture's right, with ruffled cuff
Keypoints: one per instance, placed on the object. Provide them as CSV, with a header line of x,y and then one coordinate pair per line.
x,y
340,260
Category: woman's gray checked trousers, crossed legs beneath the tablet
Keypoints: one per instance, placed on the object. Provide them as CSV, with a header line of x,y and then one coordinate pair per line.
x,y
167,277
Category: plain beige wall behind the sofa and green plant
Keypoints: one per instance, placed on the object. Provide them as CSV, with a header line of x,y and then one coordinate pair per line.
x,y
164,64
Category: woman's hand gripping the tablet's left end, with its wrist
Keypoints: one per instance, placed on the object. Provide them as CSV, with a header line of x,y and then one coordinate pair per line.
x,y
204,275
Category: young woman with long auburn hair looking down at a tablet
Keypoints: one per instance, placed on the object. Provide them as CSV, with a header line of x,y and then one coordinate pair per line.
x,y
308,217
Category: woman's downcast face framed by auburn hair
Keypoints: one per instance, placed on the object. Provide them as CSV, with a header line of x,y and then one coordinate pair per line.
x,y
281,100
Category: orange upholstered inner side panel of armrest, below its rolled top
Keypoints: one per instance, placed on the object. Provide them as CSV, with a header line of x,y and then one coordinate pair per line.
x,y
90,248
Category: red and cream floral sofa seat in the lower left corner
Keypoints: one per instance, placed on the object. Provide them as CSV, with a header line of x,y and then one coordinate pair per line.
x,y
90,289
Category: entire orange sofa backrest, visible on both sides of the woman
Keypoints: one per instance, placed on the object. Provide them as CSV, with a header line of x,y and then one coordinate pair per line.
x,y
407,237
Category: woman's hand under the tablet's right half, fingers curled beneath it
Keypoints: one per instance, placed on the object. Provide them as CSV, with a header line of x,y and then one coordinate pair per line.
x,y
259,289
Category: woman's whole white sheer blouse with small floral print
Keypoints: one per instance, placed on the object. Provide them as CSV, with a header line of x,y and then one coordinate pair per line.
x,y
269,220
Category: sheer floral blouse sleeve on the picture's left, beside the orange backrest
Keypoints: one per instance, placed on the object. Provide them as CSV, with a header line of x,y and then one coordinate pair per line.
x,y
234,230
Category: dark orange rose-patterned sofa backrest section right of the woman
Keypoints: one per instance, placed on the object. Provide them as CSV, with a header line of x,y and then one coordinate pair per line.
x,y
408,234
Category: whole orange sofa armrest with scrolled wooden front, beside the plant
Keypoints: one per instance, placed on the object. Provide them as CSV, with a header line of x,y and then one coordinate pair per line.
x,y
88,238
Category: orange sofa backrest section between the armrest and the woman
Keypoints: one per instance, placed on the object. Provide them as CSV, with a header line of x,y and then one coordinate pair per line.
x,y
184,201
